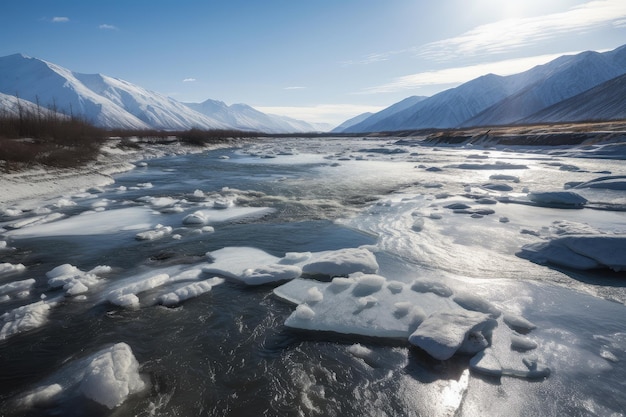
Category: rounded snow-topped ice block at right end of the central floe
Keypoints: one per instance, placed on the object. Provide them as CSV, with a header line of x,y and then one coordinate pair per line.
x,y
341,262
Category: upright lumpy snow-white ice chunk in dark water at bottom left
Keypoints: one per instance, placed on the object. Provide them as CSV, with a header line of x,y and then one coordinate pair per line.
x,y
111,376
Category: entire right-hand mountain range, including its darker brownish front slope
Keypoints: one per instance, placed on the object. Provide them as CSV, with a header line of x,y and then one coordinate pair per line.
x,y
581,87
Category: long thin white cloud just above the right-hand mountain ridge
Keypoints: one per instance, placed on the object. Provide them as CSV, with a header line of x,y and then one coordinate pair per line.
x,y
460,75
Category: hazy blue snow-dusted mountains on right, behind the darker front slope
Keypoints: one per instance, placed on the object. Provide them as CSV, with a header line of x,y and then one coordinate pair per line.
x,y
497,100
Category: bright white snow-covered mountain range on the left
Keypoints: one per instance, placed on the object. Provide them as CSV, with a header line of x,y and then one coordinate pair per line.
x,y
114,103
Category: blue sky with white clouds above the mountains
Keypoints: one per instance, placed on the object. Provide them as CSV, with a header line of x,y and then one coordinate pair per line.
x,y
317,60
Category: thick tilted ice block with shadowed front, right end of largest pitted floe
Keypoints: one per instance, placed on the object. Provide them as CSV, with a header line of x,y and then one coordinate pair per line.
x,y
443,334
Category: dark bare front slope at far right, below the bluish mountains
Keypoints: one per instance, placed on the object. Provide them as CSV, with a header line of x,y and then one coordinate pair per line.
x,y
606,101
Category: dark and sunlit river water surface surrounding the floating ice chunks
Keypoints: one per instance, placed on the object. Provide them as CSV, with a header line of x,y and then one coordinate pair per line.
x,y
228,352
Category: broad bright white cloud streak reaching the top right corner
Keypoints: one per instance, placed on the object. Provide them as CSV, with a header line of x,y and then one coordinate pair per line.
x,y
505,35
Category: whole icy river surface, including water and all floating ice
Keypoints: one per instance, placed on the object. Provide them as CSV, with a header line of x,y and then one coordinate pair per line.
x,y
330,277
